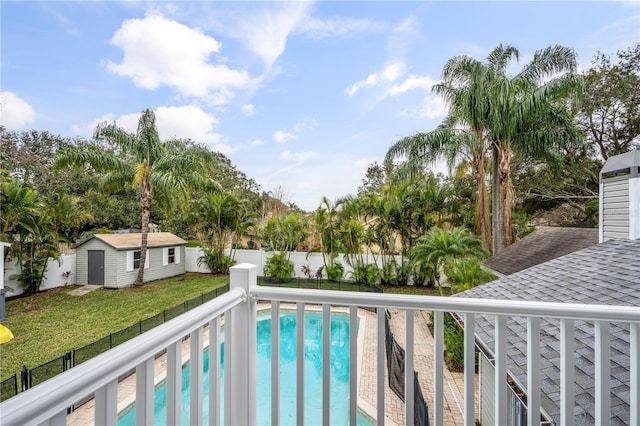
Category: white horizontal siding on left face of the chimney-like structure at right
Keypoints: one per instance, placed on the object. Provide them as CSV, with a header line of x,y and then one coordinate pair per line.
x,y
615,212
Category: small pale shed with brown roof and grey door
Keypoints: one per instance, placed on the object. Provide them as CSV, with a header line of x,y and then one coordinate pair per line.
x,y
112,260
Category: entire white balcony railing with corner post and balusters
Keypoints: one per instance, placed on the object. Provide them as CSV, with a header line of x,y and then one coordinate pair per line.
x,y
48,402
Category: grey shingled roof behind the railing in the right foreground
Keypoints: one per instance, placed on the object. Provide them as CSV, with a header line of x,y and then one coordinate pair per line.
x,y
603,274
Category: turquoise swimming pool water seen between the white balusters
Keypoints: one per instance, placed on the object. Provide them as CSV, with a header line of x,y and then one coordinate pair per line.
x,y
313,374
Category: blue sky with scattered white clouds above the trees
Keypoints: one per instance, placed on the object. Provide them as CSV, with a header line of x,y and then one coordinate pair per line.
x,y
302,96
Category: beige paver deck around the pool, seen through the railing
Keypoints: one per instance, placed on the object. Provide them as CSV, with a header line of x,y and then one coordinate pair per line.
x,y
394,407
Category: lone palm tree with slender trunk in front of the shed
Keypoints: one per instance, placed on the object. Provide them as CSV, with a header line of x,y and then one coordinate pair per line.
x,y
141,159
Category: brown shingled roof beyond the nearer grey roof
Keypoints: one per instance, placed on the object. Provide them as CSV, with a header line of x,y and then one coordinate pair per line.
x,y
542,245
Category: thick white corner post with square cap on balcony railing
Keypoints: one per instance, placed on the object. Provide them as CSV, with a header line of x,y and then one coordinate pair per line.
x,y
240,340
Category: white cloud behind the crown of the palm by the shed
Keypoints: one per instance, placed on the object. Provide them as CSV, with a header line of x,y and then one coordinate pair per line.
x,y
184,122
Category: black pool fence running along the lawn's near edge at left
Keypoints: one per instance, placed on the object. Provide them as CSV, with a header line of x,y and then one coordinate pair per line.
x,y
37,375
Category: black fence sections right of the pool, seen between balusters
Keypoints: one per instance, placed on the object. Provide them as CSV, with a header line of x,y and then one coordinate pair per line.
x,y
395,369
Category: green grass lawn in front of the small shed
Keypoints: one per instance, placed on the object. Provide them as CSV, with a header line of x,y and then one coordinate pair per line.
x,y
49,324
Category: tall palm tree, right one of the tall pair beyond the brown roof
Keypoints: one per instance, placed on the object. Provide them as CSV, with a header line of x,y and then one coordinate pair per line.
x,y
529,114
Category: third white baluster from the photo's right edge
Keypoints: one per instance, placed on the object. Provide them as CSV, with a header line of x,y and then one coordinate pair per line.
x,y
567,373
